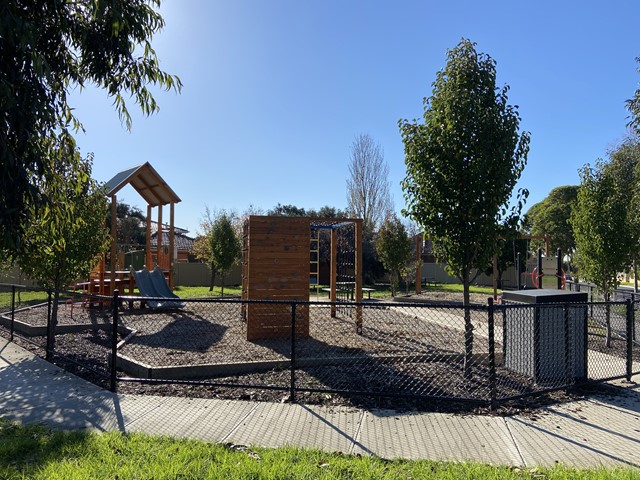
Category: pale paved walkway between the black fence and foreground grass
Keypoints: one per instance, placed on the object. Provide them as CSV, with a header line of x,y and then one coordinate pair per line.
x,y
600,430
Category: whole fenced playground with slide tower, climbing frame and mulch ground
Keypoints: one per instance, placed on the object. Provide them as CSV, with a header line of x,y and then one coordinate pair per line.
x,y
274,338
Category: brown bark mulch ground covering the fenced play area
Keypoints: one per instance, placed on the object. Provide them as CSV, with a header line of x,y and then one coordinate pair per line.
x,y
216,333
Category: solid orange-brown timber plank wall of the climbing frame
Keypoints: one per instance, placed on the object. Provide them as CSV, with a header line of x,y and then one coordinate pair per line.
x,y
275,266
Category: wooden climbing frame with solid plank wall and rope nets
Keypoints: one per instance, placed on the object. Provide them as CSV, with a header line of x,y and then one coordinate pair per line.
x,y
280,262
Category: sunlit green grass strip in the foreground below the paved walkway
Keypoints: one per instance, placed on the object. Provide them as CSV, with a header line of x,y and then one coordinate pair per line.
x,y
39,453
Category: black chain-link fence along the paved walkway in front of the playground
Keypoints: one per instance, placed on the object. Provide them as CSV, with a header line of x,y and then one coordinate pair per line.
x,y
481,354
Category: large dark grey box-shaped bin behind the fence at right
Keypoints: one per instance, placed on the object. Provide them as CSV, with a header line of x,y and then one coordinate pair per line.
x,y
546,338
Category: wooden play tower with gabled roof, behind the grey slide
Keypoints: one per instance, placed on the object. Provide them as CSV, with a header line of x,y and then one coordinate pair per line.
x,y
156,193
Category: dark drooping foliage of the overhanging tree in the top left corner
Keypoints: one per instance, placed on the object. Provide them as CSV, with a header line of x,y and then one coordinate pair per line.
x,y
47,49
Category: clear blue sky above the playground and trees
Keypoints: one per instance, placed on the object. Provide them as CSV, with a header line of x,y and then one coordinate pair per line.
x,y
276,90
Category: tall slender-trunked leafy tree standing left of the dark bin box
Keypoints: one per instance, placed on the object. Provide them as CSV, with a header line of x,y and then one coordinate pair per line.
x,y
462,166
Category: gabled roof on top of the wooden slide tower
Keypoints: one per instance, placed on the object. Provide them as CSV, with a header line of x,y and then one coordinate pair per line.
x,y
147,182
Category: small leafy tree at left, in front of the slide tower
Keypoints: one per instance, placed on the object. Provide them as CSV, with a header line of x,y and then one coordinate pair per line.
x,y
65,239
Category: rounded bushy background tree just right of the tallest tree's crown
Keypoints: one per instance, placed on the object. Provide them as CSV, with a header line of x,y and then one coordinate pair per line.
x,y
550,217
